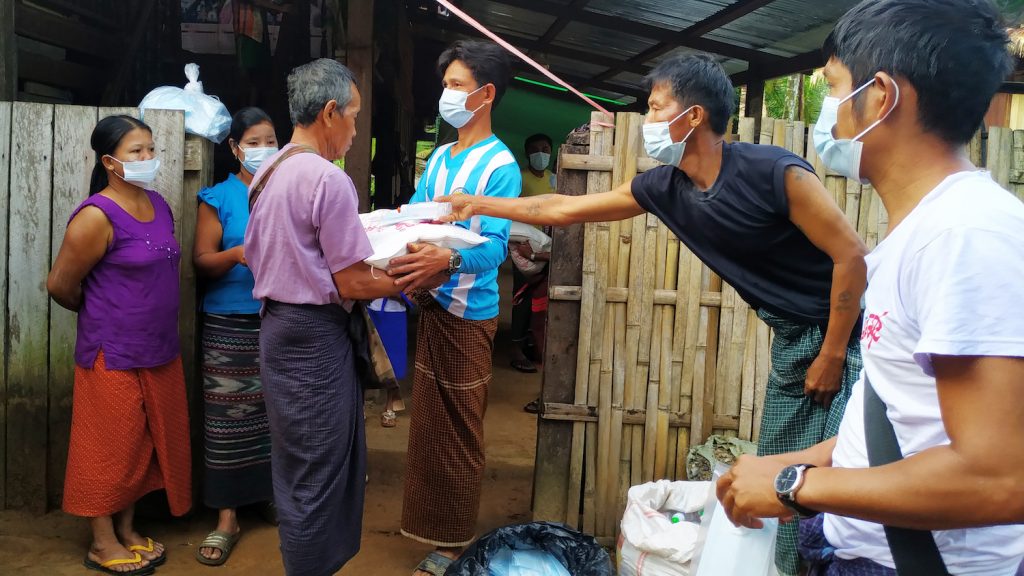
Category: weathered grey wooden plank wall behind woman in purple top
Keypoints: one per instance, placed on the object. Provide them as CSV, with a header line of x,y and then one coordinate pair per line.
x,y
46,167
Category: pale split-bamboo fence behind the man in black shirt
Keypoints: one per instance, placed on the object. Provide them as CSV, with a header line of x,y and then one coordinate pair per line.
x,y
668,354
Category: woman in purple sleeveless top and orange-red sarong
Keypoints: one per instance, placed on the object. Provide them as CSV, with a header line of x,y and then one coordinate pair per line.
x,y
118,269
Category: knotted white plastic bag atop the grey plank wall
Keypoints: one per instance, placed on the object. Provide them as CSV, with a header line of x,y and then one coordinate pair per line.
x,y
205,115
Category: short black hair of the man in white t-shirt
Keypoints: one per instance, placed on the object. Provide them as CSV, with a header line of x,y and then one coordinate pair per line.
x,y
954,53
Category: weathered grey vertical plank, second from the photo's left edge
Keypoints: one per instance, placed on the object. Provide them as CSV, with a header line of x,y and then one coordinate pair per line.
x,y
28,306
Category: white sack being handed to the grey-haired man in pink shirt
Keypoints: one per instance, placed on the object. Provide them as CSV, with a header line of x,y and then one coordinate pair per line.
x,y
393,240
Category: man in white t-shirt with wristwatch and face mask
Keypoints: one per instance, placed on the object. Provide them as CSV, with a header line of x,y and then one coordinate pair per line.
x,y
944,337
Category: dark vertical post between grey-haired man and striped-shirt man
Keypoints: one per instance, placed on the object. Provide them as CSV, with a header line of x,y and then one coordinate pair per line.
x,y
361,62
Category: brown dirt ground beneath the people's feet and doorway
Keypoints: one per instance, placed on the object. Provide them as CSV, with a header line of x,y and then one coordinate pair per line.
x,y
55,545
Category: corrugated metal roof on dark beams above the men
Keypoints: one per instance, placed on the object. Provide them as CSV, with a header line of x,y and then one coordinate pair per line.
x,y
607,33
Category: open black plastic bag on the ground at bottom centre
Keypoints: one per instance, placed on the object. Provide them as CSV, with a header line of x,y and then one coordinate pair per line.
x,y
580,554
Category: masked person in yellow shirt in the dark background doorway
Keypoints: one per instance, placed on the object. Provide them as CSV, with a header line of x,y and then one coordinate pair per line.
x,y
537,181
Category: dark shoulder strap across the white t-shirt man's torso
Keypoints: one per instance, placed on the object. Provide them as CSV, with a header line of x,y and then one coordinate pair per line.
x,y
914,552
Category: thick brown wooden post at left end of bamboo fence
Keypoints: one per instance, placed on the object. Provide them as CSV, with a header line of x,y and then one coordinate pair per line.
x,y
554,439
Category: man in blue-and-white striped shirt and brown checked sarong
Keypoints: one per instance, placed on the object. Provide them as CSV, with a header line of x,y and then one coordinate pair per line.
x,y
455,340
